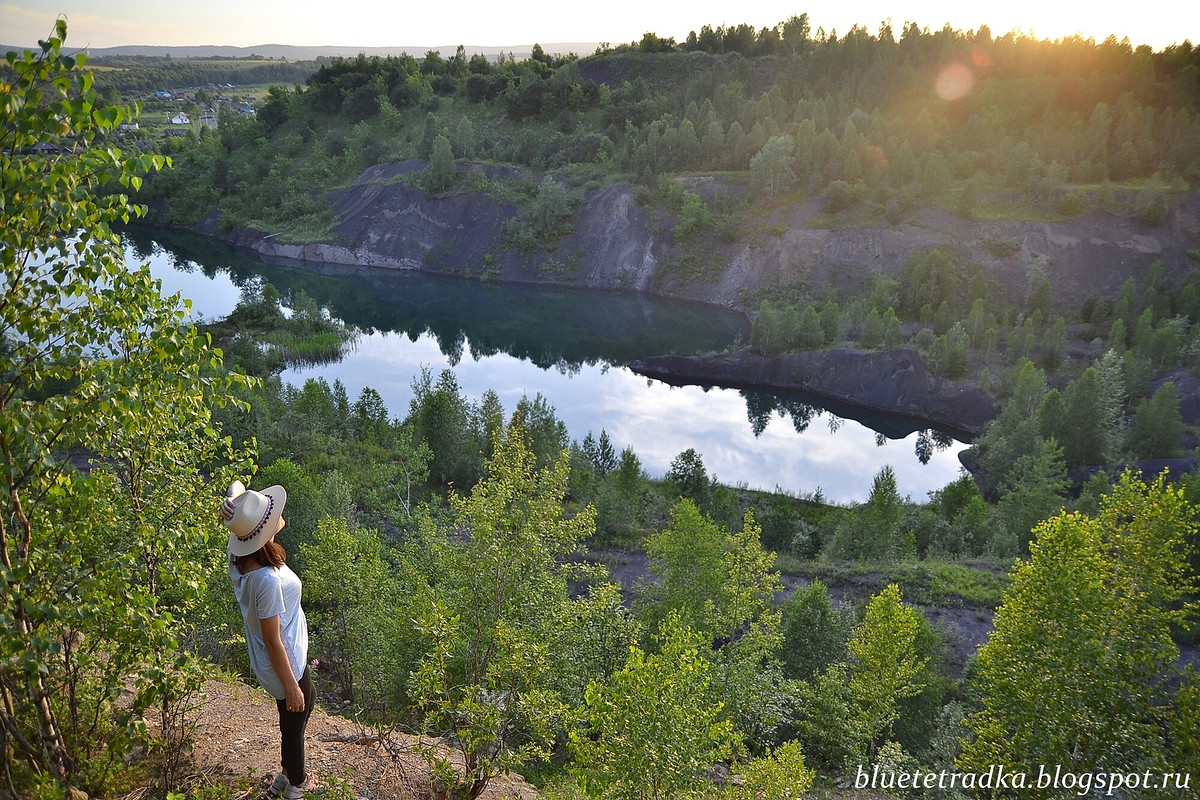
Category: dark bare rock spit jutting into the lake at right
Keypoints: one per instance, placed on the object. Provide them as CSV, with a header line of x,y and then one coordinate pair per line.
x,y
892,382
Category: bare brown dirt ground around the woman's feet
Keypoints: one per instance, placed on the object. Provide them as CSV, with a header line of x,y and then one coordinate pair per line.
x,y
238,747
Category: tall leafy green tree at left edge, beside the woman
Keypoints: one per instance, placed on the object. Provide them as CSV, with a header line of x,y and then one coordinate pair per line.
x,y
99,567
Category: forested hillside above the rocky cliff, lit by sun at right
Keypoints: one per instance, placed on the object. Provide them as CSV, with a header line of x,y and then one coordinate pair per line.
x,y
872,122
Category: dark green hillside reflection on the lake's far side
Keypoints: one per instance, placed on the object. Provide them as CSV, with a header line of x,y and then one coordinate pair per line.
x,y
554,329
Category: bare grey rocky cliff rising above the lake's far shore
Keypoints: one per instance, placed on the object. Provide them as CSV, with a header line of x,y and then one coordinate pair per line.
x,y
619,244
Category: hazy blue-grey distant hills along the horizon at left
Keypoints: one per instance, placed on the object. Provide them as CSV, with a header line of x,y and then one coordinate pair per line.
x,y
301,53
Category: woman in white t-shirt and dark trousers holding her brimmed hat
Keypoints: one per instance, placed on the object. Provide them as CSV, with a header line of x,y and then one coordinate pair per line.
x,y
277,630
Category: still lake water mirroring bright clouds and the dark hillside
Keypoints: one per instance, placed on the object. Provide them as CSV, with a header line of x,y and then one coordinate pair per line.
x,y
572,347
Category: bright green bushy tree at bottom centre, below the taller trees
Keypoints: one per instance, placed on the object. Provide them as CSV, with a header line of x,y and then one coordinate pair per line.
x,y
656,729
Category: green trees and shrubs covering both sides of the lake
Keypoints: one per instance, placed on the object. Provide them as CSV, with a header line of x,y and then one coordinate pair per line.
x,y
481,610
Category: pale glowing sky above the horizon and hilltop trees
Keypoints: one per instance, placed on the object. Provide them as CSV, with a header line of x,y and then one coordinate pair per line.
x,y
392,23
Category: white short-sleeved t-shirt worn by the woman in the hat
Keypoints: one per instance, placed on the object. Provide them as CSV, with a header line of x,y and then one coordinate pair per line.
x,y
262,594
